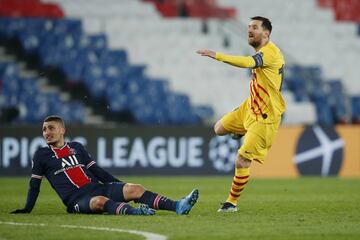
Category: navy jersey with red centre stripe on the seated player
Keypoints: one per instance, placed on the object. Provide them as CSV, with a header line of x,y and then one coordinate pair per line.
x,y
70,170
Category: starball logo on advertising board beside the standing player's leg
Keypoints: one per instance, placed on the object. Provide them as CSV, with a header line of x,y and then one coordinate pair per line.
x,y
222,153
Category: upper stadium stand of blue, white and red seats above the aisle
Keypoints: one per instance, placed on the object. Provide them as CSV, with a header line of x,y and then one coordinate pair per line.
x,y
139,56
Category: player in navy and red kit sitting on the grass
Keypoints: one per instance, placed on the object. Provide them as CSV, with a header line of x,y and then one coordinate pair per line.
x,y
84,187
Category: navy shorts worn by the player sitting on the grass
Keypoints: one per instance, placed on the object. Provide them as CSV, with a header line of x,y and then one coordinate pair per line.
x,y
113,191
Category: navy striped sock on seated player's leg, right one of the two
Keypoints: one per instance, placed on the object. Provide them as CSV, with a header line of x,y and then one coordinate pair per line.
x,y
156,201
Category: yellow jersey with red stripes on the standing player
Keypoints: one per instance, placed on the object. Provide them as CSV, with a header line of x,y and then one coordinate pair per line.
x,y
265,100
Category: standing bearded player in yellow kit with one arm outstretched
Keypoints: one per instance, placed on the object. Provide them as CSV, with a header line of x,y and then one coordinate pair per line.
x,y
259,116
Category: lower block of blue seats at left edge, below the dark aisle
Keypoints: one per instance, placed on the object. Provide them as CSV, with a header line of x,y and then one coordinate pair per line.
x,y
20,90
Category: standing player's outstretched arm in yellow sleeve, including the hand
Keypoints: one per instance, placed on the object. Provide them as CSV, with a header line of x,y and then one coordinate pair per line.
x,y
238,61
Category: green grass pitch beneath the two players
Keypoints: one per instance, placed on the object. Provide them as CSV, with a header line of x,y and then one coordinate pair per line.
x,y
305,208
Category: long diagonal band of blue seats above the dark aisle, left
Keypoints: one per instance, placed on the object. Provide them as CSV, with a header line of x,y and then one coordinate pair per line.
x,y
105,73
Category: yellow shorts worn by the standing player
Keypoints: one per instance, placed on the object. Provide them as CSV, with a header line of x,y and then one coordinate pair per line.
x,y
258,136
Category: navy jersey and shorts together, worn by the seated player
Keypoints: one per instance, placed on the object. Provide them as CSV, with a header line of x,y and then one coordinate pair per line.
x,y
72,173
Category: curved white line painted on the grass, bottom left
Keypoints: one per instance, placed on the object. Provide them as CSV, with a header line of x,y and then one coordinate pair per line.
x,y
147,235
